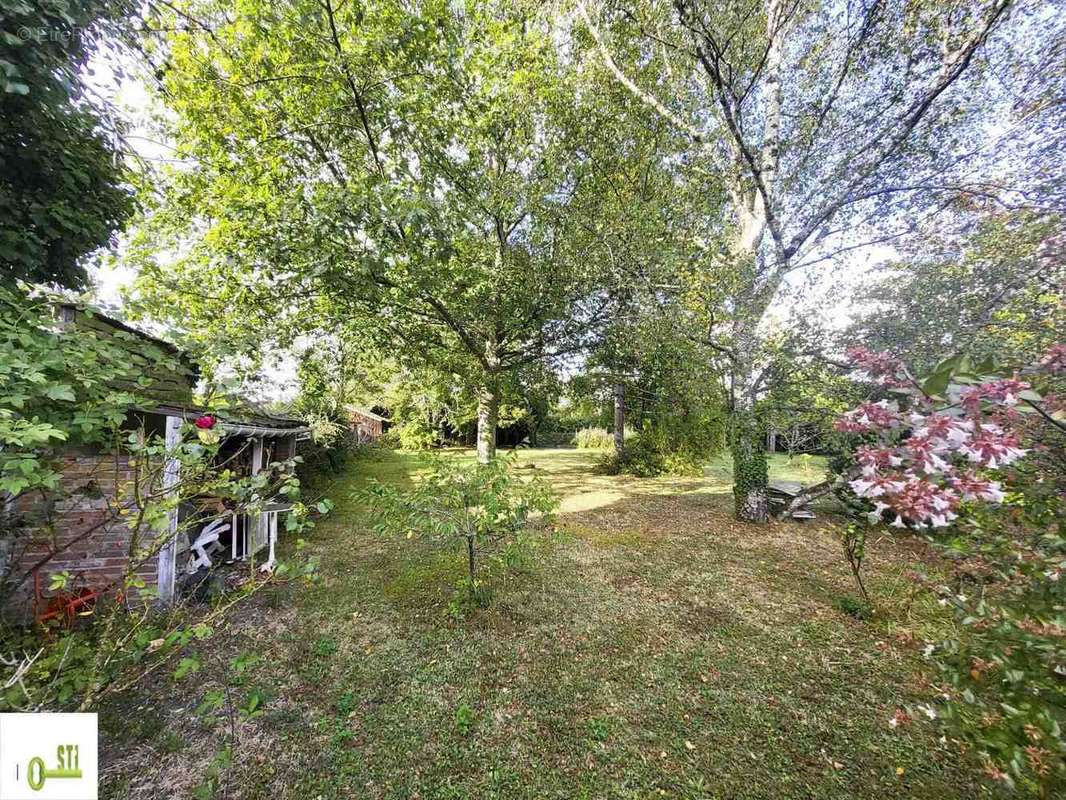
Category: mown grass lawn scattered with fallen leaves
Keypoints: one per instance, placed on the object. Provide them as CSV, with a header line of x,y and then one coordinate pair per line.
x,y
651,647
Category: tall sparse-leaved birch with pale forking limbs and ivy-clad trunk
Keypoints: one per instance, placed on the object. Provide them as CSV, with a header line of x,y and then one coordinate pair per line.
x,y
822,120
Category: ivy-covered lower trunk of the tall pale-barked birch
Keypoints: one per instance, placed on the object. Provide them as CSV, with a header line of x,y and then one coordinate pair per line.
x,y
747,438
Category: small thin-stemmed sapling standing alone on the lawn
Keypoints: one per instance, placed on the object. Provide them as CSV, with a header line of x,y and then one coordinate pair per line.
x,y
478,505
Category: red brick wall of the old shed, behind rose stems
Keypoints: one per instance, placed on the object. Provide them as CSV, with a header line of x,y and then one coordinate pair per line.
x,y
84,531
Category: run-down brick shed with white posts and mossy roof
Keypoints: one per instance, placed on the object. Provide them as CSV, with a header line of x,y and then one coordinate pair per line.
x,y
80,530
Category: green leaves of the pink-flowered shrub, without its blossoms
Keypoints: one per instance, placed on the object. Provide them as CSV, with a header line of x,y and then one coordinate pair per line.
x,y
1003,667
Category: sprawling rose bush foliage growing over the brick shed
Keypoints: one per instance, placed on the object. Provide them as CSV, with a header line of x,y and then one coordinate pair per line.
x,y
84,389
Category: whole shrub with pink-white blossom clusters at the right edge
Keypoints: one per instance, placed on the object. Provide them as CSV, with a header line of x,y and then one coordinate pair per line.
x,y
977,458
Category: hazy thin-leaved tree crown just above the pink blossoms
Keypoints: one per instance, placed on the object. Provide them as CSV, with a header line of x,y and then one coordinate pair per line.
x,y
1006,274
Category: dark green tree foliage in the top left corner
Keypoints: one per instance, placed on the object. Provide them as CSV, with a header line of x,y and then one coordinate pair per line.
x,y
63,187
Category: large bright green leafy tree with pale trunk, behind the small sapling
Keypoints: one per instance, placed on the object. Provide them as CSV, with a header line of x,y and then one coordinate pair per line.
x,y
424,172
